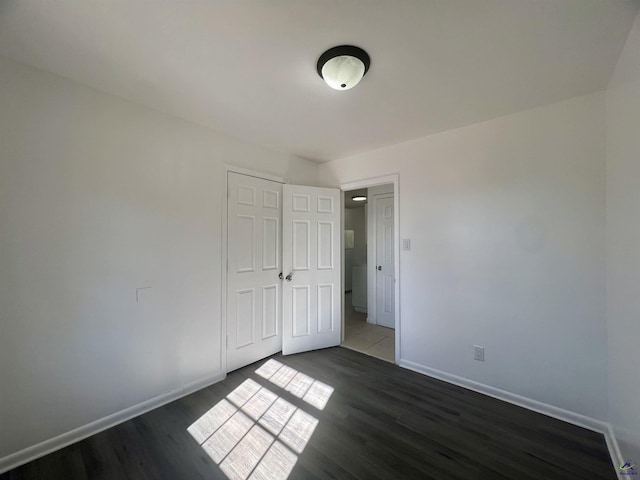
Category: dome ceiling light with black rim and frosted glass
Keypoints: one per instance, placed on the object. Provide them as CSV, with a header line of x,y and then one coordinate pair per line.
x,y
343,67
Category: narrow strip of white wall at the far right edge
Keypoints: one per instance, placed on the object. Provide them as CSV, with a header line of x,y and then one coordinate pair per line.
x,y
623,247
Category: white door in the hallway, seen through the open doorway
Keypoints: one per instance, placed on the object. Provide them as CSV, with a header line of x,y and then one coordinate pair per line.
x,y
385,289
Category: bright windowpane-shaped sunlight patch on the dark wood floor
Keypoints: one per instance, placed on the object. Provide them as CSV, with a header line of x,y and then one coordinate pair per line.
x,y
254,434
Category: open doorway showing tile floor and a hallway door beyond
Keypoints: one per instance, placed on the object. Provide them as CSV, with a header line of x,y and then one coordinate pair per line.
x,y
369,261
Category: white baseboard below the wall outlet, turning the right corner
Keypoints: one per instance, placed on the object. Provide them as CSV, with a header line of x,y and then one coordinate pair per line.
x,y
530,404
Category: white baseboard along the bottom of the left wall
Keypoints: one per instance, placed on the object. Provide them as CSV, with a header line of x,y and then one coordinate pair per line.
x,y
56,443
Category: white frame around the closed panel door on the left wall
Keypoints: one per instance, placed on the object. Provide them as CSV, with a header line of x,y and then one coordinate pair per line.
x,y
223,263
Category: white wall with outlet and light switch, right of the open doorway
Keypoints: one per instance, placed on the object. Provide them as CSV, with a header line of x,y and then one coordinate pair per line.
x,y
507,226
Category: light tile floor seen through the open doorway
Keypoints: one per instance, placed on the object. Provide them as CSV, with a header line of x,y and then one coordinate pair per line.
x,y
365,337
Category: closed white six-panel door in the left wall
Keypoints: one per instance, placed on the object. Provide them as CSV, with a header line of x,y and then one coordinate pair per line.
x,y
254,246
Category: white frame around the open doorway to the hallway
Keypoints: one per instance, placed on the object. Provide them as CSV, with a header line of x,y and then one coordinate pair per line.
x,y
373,182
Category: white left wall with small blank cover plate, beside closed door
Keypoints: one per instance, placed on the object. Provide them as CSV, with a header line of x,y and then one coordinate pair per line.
x,y
99,196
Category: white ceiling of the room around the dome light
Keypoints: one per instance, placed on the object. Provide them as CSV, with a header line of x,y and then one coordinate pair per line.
x,y
247,68
